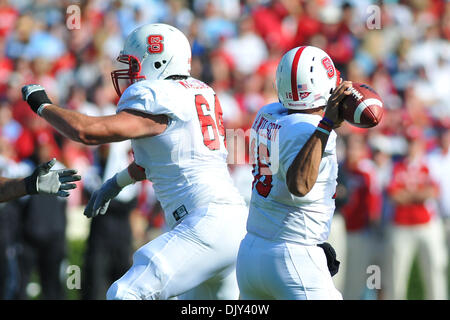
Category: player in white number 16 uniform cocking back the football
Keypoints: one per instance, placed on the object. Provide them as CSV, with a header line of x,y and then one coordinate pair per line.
x,y
295,173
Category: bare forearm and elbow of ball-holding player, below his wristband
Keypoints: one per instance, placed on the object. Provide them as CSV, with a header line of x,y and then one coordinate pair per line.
x,y
302,174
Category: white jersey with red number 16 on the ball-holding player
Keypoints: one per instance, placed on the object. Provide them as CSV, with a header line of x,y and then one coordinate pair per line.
x,y
275,213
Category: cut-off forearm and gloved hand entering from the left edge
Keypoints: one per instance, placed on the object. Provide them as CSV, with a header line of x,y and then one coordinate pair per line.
x,y
42,181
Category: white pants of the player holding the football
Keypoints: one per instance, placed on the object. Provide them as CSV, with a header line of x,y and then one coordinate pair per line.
x,y
284,271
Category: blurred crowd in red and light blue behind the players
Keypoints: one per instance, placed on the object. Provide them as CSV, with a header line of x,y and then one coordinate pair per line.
x,y
394,186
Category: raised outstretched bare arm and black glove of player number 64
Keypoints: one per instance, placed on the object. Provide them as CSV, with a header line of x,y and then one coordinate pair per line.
x,y
128,124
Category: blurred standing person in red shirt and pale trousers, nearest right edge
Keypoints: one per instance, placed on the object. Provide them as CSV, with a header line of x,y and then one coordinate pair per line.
x,y
415,226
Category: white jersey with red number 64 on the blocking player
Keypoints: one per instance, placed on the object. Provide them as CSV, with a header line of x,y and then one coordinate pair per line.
x,y
187,162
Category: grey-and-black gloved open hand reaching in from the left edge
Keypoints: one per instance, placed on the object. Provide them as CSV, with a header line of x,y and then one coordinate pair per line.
x,y
55,182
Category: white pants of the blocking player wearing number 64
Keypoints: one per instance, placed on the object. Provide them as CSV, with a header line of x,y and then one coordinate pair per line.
x,y
196,259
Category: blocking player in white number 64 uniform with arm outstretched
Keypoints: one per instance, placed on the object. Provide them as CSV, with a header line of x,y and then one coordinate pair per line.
x,y
176,130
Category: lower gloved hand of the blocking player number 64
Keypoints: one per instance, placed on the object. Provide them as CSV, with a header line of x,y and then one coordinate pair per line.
x,y
100,199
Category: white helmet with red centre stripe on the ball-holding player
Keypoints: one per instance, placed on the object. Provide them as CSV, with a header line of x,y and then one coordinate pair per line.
x,y
305,78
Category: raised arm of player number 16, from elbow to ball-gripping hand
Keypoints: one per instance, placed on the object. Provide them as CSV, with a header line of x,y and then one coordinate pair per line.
x,y
302,173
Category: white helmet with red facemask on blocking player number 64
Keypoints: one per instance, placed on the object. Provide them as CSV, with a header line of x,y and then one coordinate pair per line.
x,y
153,51
